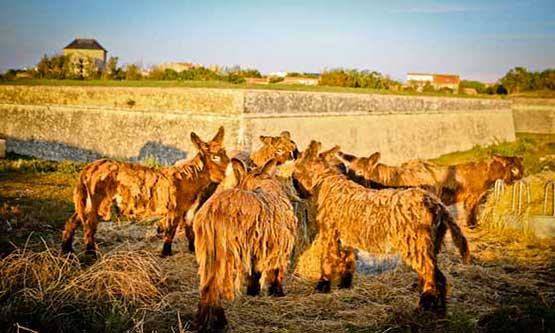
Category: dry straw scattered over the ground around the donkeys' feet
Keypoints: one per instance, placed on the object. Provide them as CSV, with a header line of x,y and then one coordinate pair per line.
x,y
146,293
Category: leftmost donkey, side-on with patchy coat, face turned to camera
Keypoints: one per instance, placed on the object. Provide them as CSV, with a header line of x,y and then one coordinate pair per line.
x,y
140,191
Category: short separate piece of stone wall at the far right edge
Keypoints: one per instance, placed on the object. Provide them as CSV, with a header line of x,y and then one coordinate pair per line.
x,y
534,115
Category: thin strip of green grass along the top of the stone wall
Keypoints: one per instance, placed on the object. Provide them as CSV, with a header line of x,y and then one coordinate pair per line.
x,y
227,85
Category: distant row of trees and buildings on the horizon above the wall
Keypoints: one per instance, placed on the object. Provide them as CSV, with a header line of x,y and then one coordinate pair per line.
x,y
86,59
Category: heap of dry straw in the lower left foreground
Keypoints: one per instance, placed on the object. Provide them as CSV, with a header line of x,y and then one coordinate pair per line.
x,y
50,292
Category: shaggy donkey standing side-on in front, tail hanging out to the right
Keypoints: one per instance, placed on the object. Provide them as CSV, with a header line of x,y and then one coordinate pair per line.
x,y
410,221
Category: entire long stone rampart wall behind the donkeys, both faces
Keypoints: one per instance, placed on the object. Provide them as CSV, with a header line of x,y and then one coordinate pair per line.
x,y
89,122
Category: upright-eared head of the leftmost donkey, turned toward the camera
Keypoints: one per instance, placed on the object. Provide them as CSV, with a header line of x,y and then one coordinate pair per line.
x,y
212,154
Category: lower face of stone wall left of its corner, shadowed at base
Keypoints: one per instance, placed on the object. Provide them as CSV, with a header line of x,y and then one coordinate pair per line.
x,y
61,132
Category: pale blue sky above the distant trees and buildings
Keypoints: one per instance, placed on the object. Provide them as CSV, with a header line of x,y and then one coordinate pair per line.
x,y
476,39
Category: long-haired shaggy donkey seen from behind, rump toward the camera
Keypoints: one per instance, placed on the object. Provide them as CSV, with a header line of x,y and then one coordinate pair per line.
x,y
244,232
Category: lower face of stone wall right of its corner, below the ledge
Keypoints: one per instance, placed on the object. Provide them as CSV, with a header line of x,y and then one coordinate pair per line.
x,y
399,137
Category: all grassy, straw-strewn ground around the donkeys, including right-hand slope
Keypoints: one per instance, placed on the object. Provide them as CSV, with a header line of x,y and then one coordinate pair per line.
x,y
508,287
